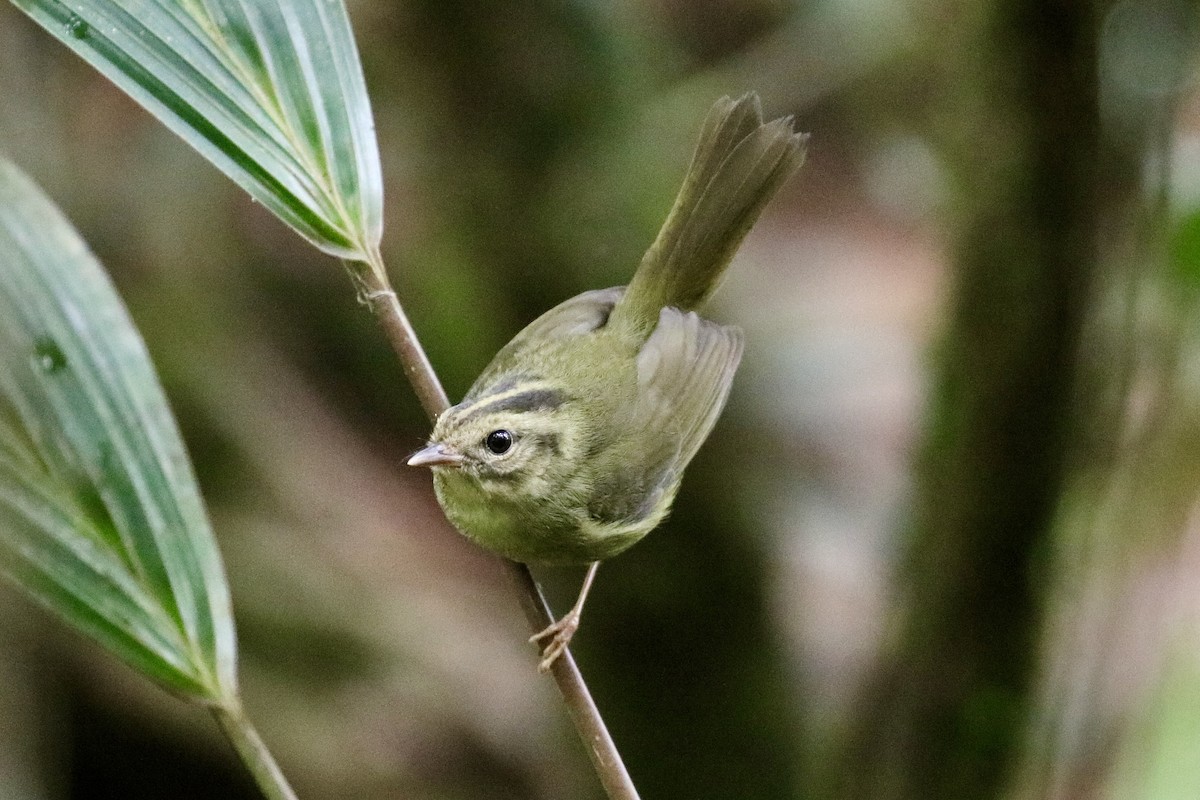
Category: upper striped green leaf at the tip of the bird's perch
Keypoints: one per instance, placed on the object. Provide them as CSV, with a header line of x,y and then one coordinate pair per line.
x,y
271,92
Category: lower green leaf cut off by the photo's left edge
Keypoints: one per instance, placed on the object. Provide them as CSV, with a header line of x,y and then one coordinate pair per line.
x,y
100,515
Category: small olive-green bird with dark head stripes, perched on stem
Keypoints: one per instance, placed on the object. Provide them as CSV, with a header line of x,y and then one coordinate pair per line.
x,y
572,444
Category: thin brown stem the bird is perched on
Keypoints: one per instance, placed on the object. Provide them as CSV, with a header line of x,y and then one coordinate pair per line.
x,y
376,292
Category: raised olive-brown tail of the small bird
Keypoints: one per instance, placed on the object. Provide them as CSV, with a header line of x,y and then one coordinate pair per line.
x,y
739,166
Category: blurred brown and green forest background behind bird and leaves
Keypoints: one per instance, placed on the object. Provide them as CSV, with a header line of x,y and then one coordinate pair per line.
x,y
945,542
